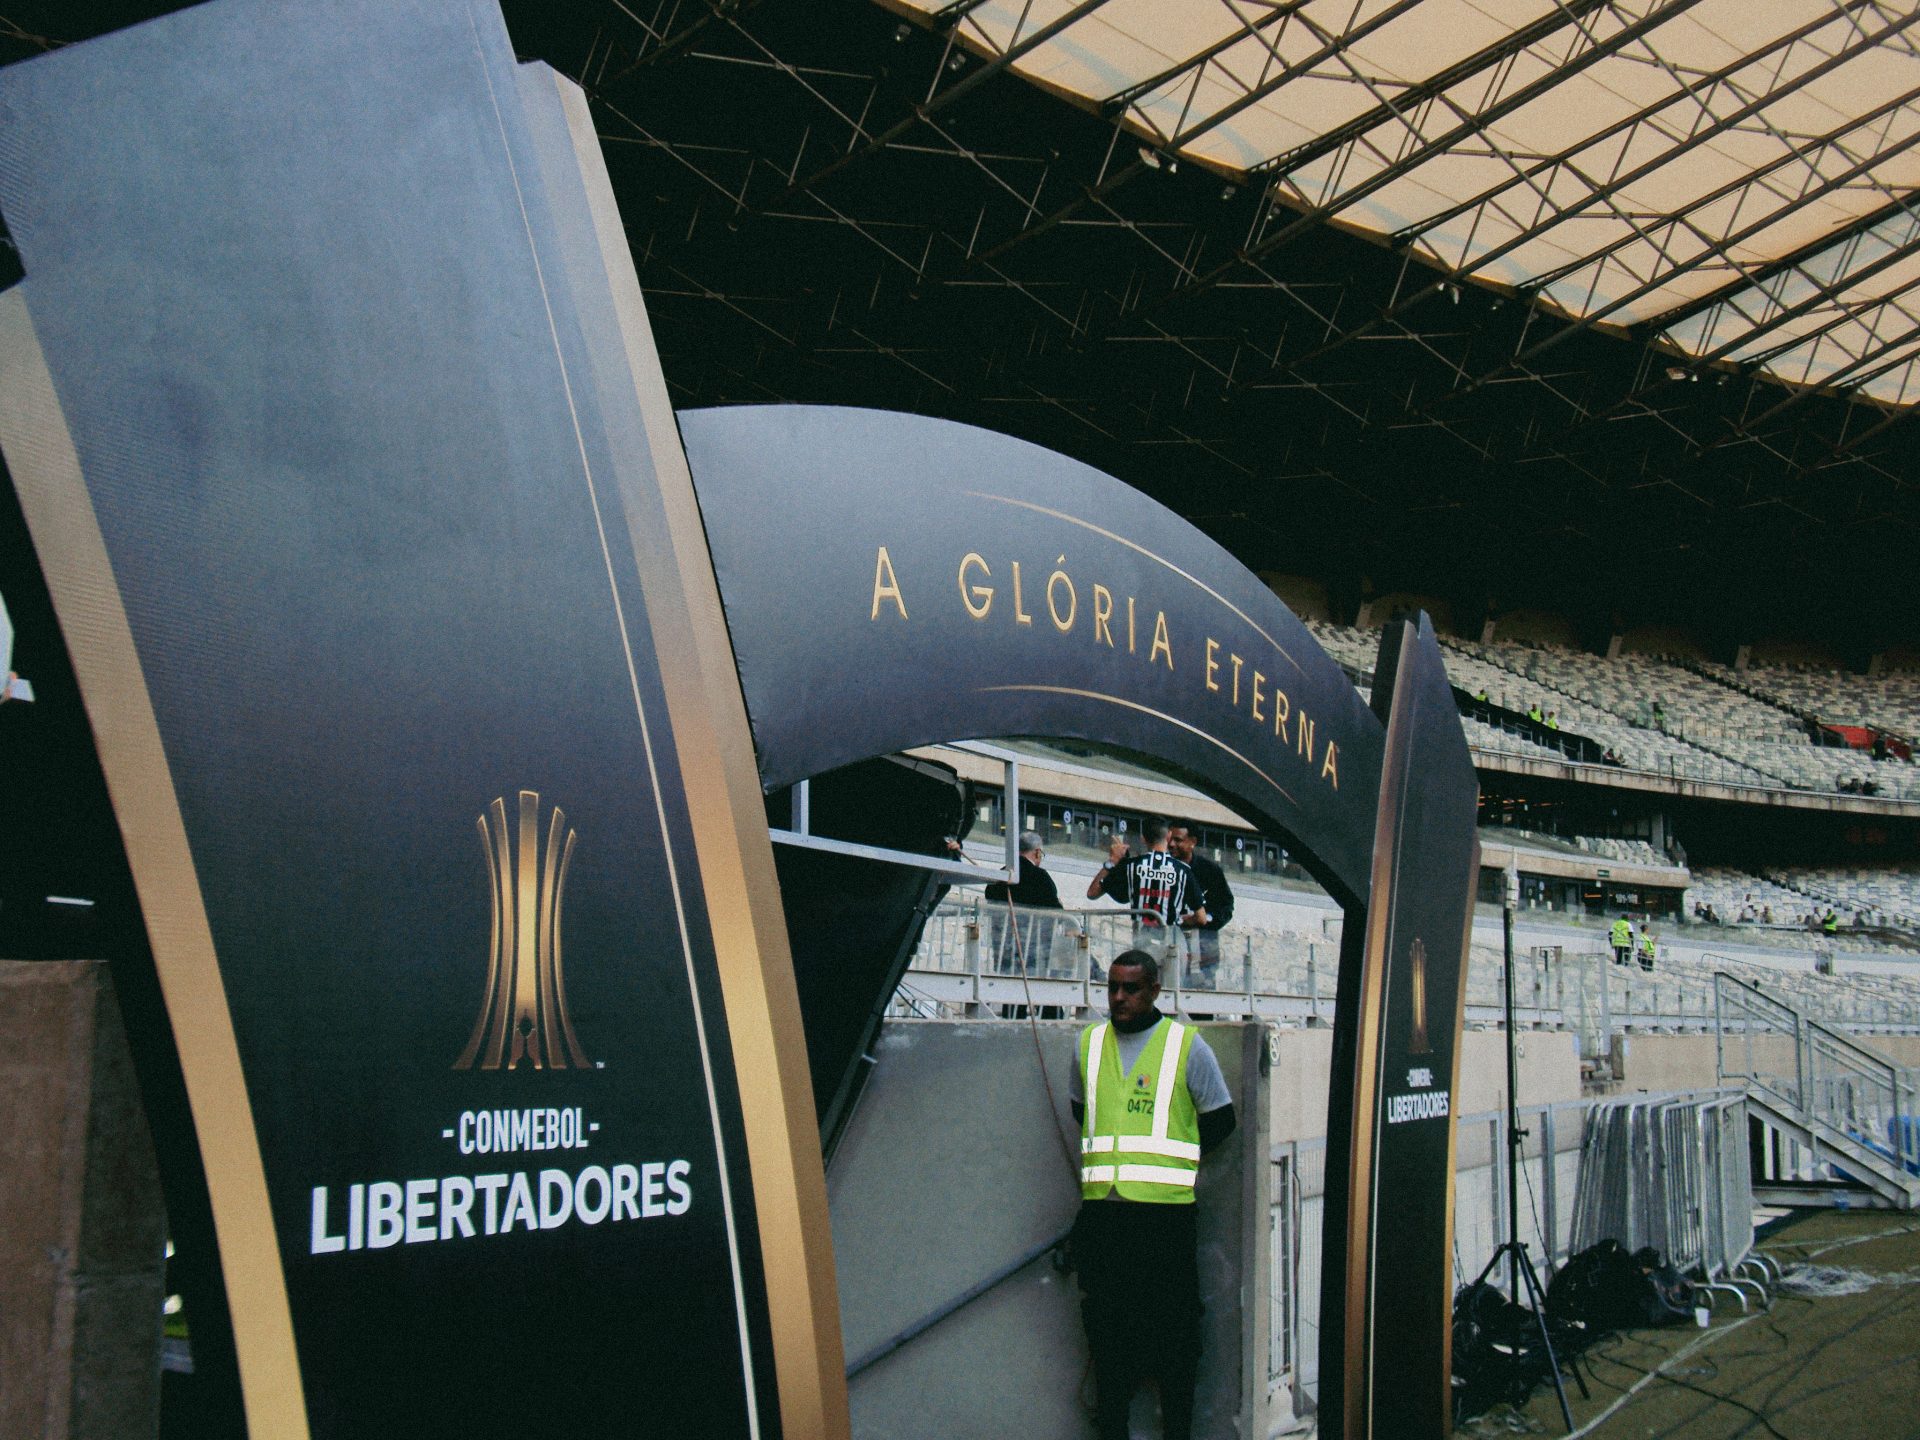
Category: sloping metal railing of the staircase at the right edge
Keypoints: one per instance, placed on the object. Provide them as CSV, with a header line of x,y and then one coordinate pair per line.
x,y
1812,1068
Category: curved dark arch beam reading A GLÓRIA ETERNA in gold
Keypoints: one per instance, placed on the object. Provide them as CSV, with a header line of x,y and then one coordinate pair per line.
x,y
894,581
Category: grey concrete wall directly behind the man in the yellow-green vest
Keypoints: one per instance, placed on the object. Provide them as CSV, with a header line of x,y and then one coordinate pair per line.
x,y
955,1164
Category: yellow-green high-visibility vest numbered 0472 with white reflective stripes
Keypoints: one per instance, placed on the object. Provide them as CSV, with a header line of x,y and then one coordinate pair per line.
x,y
1140,1157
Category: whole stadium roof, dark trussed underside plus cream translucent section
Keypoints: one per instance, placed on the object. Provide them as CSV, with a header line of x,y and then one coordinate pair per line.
x,y
1602,306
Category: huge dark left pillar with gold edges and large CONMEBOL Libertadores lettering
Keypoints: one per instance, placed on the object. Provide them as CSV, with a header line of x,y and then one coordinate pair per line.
x,y
329,404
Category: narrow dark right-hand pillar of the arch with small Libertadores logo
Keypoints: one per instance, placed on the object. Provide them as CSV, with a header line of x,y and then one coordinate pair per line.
x,y
1389,1234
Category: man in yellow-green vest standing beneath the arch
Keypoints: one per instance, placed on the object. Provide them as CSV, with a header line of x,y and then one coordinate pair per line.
x,y
1151,1099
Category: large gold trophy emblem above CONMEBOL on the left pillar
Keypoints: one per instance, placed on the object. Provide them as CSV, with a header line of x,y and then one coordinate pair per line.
x,y
523,1013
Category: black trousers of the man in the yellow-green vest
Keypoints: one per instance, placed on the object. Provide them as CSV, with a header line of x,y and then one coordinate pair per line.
x,y
1141,1305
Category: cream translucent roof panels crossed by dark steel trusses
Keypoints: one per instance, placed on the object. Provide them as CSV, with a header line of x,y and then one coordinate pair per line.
x,y
1698,168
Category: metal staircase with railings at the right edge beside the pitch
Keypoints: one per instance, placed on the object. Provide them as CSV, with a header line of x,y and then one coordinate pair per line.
x,y
1848,1107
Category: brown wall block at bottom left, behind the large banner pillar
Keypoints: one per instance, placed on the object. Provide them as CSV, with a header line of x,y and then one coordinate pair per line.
x,y
82,1220
